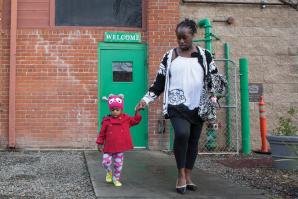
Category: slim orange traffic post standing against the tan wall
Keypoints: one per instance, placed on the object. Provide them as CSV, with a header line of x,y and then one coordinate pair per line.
x,y
263,125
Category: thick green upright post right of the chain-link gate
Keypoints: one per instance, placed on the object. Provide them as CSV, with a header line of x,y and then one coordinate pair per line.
x,y
245,124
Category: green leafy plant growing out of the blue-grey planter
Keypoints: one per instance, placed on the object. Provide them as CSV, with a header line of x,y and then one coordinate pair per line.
x,y
286,124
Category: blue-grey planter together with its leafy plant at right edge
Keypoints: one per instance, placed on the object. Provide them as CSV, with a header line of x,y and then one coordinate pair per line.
x,y
284,141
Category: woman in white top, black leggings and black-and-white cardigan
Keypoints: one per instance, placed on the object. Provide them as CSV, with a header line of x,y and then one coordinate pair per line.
x,y
181,77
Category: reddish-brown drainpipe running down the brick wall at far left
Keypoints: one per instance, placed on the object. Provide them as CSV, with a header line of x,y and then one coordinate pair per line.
x,y
12,77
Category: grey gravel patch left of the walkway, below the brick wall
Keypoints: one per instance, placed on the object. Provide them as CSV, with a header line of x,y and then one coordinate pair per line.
x,y
44,175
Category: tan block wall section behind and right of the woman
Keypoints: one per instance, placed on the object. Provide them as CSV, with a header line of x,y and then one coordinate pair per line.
x,y
268,38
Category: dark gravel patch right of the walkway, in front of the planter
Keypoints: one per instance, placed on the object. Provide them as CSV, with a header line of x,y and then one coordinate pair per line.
x,y
276,182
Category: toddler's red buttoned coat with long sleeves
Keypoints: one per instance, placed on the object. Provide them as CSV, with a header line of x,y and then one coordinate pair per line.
x,y
115,133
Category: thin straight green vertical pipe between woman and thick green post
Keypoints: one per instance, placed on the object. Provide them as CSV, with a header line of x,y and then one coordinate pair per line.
x,y
228,97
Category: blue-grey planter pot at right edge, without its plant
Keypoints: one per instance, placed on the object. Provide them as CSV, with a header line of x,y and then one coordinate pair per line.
x,y
284,151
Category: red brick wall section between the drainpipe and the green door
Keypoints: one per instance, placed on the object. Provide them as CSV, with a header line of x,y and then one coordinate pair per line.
x,y
56,88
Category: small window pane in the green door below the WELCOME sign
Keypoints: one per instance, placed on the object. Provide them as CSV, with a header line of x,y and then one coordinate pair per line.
x,y
122,71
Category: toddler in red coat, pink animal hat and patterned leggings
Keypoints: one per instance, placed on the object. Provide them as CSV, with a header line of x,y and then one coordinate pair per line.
x,y
114,137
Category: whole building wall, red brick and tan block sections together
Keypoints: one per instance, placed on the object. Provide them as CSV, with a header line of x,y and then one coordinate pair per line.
x,y
56,83
